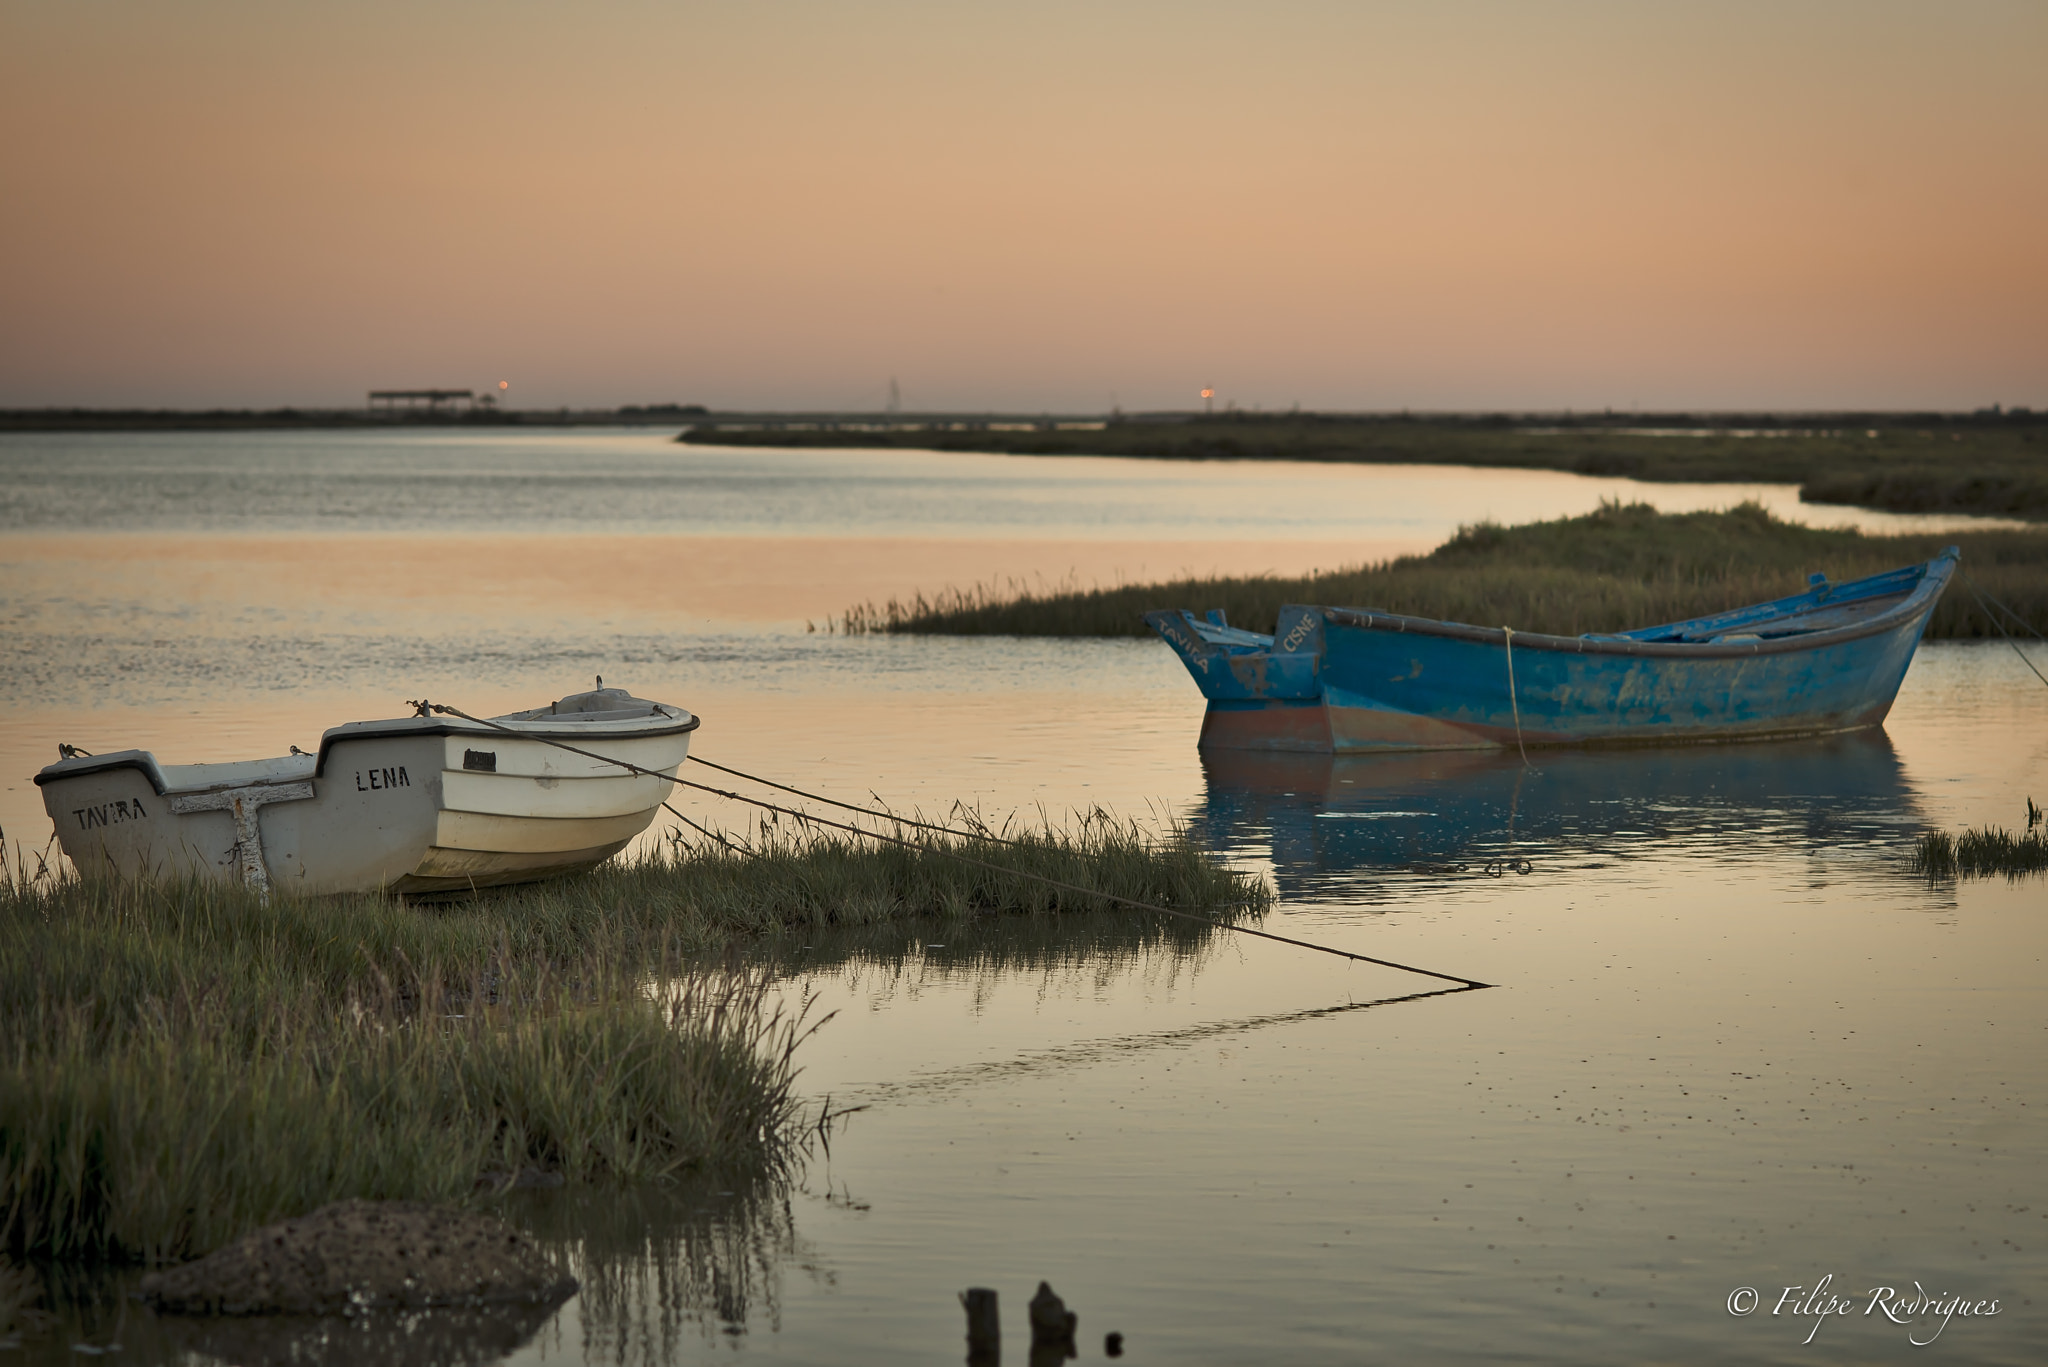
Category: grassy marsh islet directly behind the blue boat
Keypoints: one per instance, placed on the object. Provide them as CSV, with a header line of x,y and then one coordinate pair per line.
x,y
1609,571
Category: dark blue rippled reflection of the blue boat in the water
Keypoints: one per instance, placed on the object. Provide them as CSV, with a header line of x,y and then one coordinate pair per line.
x,y
1340,825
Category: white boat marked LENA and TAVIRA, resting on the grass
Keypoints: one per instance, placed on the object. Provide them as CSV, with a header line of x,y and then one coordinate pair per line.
x,y
417,804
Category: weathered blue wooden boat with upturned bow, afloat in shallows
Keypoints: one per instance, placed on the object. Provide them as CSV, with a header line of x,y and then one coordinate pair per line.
x,y
1353,679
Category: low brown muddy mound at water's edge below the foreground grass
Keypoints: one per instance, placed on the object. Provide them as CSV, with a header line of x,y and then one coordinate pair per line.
x,y
364,1255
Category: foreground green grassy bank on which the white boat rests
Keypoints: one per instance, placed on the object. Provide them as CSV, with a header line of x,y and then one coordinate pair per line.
x,y
183,1063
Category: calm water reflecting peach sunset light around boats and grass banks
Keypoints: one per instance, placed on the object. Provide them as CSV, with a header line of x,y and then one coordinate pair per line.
x,y
1736,1044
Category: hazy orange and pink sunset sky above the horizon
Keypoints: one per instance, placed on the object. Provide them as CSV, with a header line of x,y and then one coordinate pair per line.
x,y
1031,208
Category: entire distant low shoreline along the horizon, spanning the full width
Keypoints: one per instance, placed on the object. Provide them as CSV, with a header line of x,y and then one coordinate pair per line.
x,y
1988,464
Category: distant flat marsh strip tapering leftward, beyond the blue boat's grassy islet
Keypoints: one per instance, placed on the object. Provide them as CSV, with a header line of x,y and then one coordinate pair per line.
x,y
1986,464
